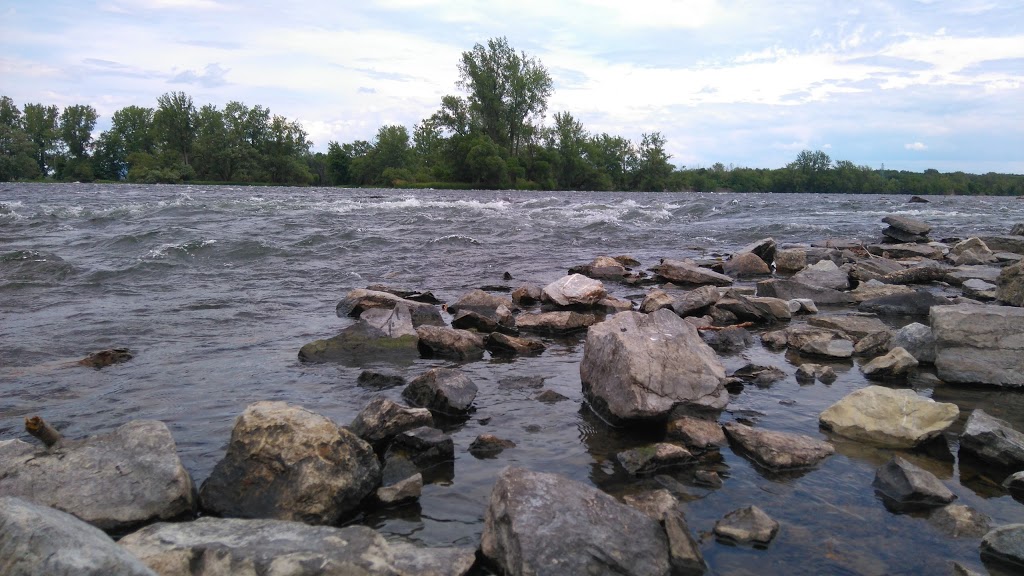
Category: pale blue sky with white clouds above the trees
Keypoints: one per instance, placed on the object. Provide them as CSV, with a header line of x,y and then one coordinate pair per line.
x,y
909,85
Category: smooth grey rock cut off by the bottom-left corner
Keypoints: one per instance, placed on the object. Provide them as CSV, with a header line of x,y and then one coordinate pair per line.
x,y
37,540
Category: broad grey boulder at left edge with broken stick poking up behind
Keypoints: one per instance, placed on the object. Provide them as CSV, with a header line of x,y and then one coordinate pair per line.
x,y
114,481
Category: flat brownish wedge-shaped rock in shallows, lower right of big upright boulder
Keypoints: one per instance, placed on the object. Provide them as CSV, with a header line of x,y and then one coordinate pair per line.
x,y
779,450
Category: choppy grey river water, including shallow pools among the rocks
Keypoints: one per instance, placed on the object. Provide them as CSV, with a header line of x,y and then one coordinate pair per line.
x,y
216,290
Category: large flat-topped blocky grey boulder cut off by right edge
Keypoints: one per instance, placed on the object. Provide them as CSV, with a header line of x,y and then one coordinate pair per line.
x,y
979,344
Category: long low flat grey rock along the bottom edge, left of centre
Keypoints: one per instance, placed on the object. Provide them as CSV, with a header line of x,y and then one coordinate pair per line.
x,y
214,547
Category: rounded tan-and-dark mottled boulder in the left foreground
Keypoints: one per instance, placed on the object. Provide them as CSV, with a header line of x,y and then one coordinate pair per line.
x,y
285,463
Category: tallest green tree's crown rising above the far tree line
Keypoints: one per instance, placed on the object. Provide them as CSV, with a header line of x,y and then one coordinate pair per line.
x,y
506,91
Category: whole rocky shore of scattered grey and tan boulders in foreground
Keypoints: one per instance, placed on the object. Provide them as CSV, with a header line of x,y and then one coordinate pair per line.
x,y
292,482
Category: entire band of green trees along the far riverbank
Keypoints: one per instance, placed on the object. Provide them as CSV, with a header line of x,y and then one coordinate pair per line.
x,y
494,137
